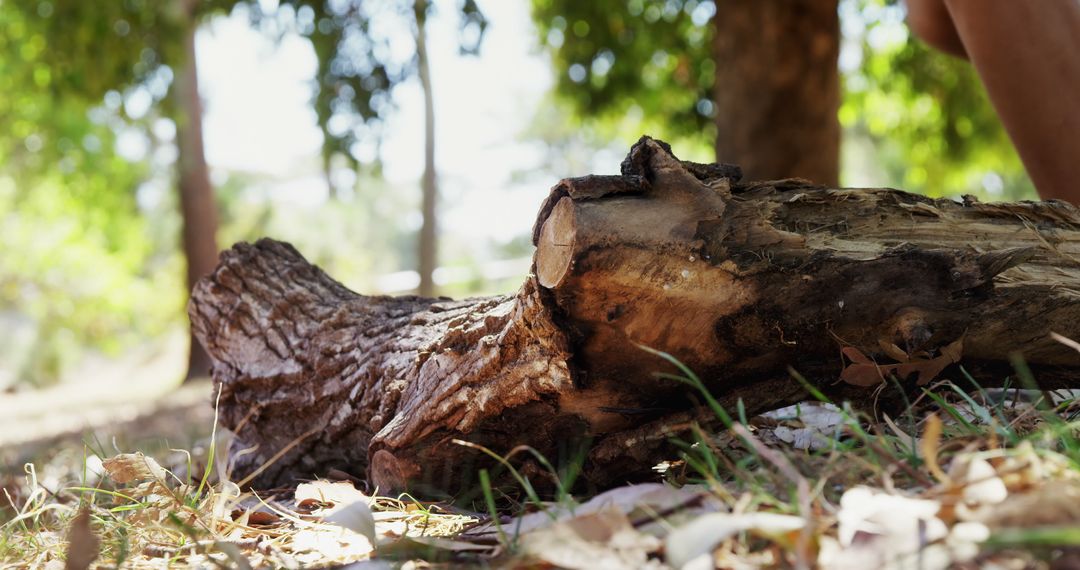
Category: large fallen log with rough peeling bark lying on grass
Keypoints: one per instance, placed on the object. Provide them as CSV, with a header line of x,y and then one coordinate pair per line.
x,y
737,280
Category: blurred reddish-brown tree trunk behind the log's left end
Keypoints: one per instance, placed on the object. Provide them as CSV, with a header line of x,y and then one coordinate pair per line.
x,y
198,210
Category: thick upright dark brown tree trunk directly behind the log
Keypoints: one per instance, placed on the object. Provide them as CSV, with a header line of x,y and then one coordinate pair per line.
x,y
778,88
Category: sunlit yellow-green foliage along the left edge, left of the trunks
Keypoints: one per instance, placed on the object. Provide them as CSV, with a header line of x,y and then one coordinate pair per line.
x,y
77,260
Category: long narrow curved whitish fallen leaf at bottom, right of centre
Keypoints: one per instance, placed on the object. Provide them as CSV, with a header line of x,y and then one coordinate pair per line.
x,y
703,535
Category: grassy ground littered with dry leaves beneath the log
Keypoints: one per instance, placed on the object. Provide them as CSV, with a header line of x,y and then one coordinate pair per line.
x,y
967,479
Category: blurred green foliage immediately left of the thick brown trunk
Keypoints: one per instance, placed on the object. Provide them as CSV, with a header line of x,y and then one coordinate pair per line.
x,y
645,63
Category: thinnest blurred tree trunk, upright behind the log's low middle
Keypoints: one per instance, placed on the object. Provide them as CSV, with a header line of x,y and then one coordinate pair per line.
x,y
429,243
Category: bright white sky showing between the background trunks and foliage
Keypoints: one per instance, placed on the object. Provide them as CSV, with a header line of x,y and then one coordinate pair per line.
x,y
260,120
